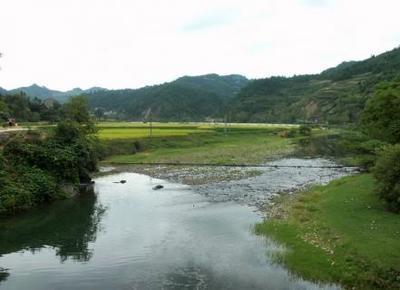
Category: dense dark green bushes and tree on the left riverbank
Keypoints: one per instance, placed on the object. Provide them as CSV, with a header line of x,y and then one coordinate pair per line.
x,y
39,167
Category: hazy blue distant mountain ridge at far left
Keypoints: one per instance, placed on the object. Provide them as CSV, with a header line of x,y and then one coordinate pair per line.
x,y
41,92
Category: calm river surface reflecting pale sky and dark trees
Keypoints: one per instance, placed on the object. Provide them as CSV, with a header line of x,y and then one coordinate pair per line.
x,y
129,236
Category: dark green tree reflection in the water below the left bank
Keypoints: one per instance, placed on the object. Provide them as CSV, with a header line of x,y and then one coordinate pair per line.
x,y
68,226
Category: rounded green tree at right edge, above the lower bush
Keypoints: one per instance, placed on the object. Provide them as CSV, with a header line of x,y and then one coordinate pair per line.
x,y
381,116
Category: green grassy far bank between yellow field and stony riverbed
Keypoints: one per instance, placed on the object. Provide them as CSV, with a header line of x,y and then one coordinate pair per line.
x,y
211,146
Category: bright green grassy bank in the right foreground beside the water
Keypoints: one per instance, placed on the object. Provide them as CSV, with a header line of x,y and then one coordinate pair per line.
x,y
339,233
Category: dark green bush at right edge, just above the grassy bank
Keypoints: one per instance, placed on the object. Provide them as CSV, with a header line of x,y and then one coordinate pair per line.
x,y
387,174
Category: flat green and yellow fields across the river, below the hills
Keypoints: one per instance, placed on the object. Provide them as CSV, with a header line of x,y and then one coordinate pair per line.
x,y
195,142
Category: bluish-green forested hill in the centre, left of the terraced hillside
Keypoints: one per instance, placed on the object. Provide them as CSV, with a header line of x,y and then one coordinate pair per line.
x,y
189,98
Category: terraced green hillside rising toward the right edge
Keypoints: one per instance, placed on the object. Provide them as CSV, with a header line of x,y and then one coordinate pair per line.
x,y
337,95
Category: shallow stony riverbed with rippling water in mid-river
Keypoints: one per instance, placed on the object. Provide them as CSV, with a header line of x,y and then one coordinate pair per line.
x,y
254,186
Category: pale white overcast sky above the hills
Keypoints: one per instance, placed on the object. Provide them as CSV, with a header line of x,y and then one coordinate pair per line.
x,y
63,44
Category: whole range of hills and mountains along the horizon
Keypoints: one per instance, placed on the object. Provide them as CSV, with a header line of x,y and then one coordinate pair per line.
x,y
336,95
